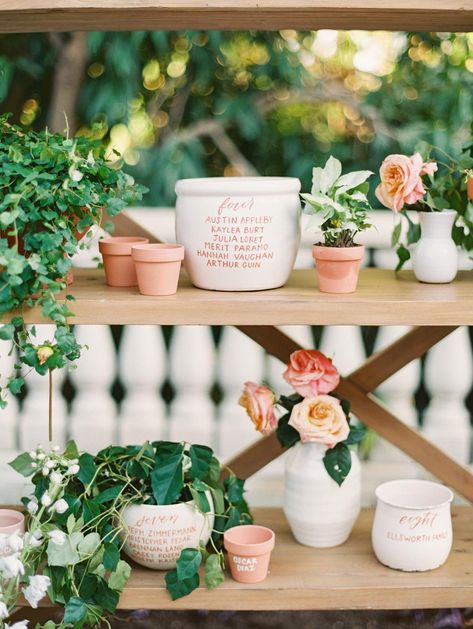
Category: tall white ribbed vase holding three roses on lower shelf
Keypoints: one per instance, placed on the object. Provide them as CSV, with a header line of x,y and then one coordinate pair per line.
x,y
320,513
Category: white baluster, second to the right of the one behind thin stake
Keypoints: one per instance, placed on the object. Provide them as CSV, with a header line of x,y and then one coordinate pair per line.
x,y
142,365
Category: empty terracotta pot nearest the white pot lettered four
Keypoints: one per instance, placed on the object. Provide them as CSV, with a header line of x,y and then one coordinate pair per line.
x,y
157,267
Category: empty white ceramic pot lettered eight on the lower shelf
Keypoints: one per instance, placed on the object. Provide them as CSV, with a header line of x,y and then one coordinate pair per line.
x,y
412,528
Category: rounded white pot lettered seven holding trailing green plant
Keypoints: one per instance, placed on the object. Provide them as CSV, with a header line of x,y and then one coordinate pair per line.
x,y
154,535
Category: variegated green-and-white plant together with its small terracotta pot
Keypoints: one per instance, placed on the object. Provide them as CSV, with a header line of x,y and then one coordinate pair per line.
x,y
341,205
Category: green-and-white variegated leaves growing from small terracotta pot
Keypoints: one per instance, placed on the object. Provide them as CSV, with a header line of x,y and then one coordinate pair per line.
x,y
339,202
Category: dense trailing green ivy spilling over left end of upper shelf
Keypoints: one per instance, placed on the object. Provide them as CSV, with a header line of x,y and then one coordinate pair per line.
x,y
54,189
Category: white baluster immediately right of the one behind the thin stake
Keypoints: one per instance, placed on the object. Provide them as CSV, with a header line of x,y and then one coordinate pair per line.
x,y
93,417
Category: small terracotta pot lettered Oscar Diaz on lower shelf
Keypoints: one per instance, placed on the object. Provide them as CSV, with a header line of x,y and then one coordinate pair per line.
x,y
249,551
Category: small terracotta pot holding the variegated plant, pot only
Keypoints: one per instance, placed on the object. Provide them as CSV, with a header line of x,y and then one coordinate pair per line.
x,y
338,267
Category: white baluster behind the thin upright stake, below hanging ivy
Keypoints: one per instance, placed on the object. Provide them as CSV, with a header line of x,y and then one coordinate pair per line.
x,y
34,416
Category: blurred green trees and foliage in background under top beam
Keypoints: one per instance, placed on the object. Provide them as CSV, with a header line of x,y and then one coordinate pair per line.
x,y
195,103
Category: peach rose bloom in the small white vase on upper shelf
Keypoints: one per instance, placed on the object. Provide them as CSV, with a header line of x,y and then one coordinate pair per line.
x,y
401,182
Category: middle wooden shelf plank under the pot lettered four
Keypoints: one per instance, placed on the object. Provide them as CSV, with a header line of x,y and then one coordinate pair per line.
x,y
381,299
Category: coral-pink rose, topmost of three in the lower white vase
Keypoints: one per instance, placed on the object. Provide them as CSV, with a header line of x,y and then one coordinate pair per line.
x,y
311,373
